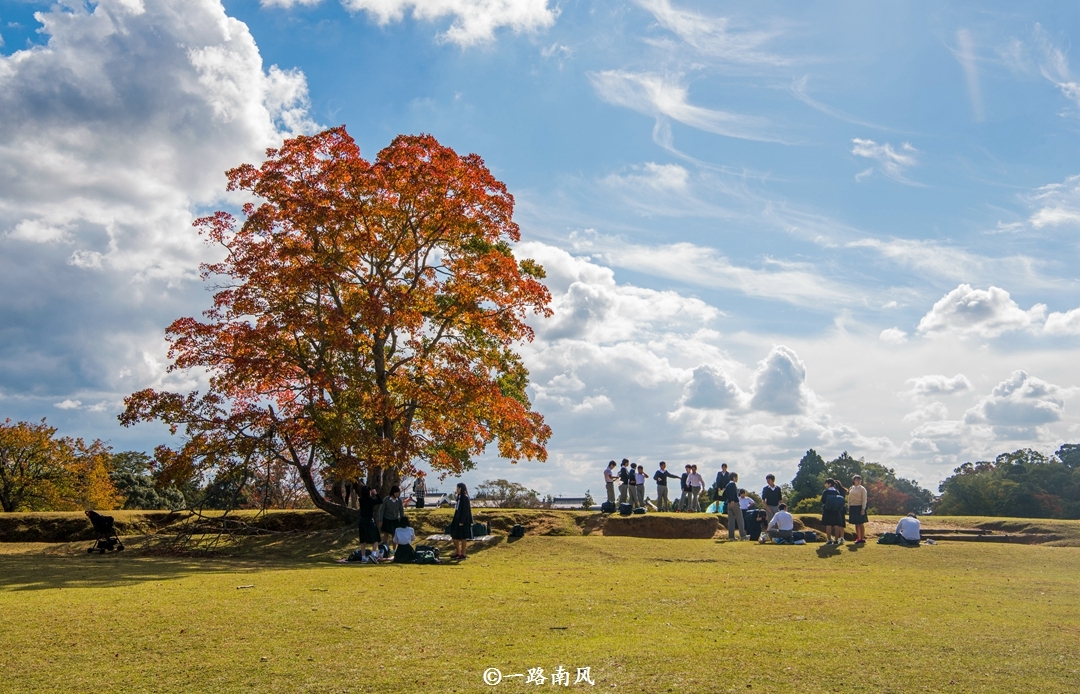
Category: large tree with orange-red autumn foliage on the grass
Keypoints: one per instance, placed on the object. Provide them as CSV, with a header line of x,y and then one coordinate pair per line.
x,y
366,319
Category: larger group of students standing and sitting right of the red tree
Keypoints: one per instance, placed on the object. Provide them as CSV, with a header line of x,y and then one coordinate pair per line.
x,y
840,506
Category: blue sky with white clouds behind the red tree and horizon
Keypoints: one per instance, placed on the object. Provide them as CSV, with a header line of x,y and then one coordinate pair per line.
x,y
849,227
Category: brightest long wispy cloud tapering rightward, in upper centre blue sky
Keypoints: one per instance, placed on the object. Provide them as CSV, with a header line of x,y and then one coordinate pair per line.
x,y
665,97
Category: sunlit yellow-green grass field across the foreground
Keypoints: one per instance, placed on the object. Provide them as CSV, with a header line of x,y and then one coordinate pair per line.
x,y
645,616
